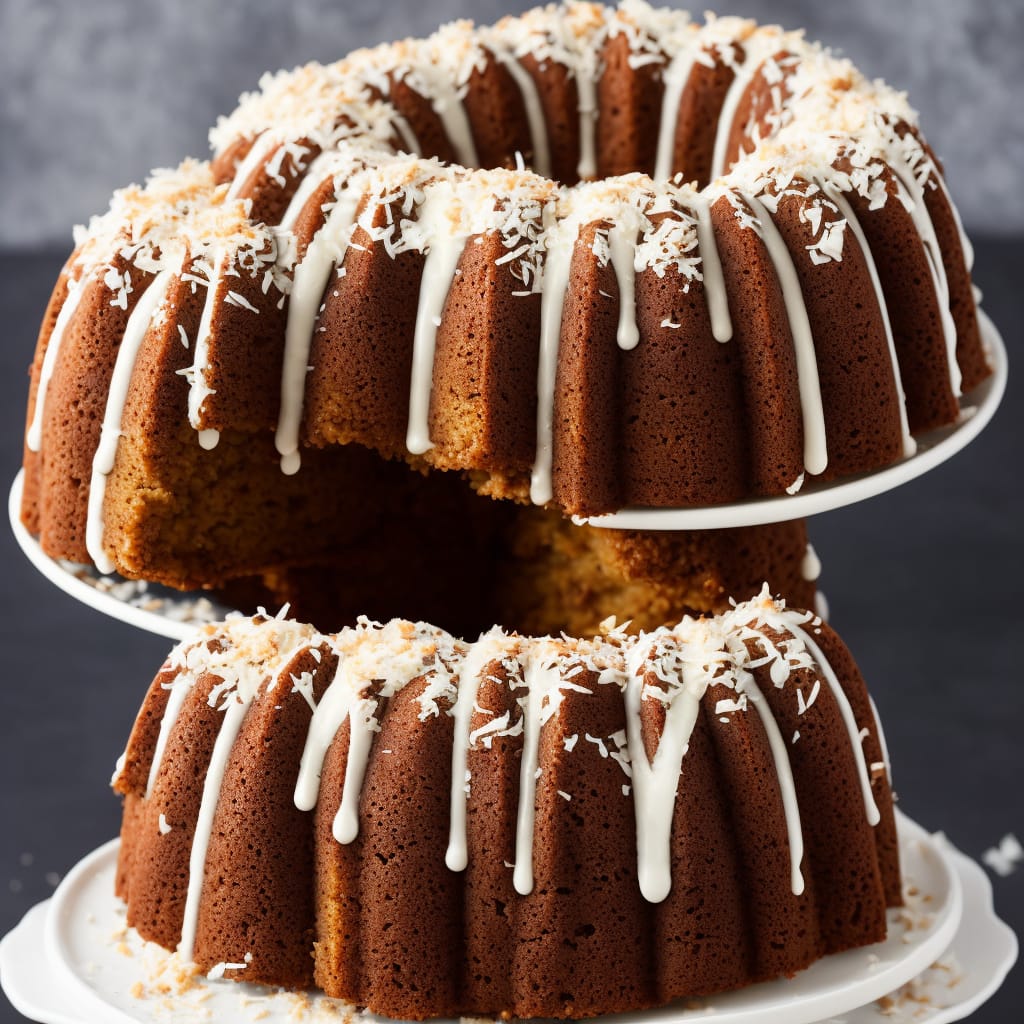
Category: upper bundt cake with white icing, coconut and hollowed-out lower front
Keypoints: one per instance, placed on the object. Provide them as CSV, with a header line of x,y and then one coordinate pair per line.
x,y
734,268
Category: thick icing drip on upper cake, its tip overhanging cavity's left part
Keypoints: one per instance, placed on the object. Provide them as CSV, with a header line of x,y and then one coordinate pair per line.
x,y
325,252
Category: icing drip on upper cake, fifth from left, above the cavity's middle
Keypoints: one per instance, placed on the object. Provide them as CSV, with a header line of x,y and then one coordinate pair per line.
x,y
439,273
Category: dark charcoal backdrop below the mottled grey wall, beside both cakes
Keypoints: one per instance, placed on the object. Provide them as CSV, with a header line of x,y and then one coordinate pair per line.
x,y
925,585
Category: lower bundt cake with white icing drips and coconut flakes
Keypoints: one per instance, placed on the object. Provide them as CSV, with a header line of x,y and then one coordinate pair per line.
x,y
518,827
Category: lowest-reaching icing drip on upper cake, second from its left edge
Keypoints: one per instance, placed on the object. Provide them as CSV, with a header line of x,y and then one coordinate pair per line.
x,y
110,432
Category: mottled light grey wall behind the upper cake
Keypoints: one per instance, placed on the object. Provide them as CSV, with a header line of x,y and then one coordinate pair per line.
x,y
94,95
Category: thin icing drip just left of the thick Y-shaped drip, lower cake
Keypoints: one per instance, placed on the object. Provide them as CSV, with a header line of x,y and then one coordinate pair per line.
x,y
541,678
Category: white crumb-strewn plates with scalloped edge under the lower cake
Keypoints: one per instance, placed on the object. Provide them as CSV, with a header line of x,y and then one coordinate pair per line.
x,y
72,961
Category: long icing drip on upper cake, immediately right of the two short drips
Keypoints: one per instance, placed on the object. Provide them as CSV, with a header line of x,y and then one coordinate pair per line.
x,y
813,410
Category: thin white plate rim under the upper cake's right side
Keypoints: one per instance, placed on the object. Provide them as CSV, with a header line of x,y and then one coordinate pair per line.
x,y
977,409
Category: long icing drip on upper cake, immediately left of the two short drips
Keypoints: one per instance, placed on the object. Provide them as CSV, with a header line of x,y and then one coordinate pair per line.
x,y
557,283
